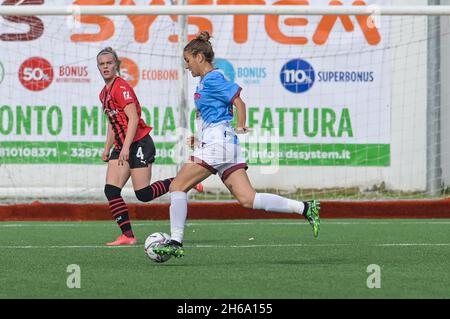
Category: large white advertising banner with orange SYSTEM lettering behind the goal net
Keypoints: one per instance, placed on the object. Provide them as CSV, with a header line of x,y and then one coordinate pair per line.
x,y
319,84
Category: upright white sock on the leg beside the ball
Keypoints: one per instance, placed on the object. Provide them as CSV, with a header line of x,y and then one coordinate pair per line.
x,y
178,215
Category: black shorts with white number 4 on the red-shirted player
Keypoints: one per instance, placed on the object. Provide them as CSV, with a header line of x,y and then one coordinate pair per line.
x,y
142,153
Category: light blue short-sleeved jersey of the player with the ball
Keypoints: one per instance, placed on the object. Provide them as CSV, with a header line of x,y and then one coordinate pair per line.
x,y
214,98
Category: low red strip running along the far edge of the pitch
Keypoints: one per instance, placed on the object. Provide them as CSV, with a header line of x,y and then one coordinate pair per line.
x,y
37,211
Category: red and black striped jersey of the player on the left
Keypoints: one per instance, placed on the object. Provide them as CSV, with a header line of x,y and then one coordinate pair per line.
x,y
114,101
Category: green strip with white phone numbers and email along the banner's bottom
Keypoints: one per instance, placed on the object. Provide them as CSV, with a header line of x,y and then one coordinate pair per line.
x,y
258,154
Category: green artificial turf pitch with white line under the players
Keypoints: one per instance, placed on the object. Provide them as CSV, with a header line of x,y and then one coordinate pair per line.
x,y
230,259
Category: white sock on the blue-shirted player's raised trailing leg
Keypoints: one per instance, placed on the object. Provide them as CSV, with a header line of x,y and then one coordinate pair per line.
x,y
278,204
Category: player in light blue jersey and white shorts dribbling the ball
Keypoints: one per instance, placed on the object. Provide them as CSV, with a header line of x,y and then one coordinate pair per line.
x,y
218,149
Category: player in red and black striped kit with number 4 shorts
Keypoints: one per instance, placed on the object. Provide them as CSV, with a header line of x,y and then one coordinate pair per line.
x,y
134,150
